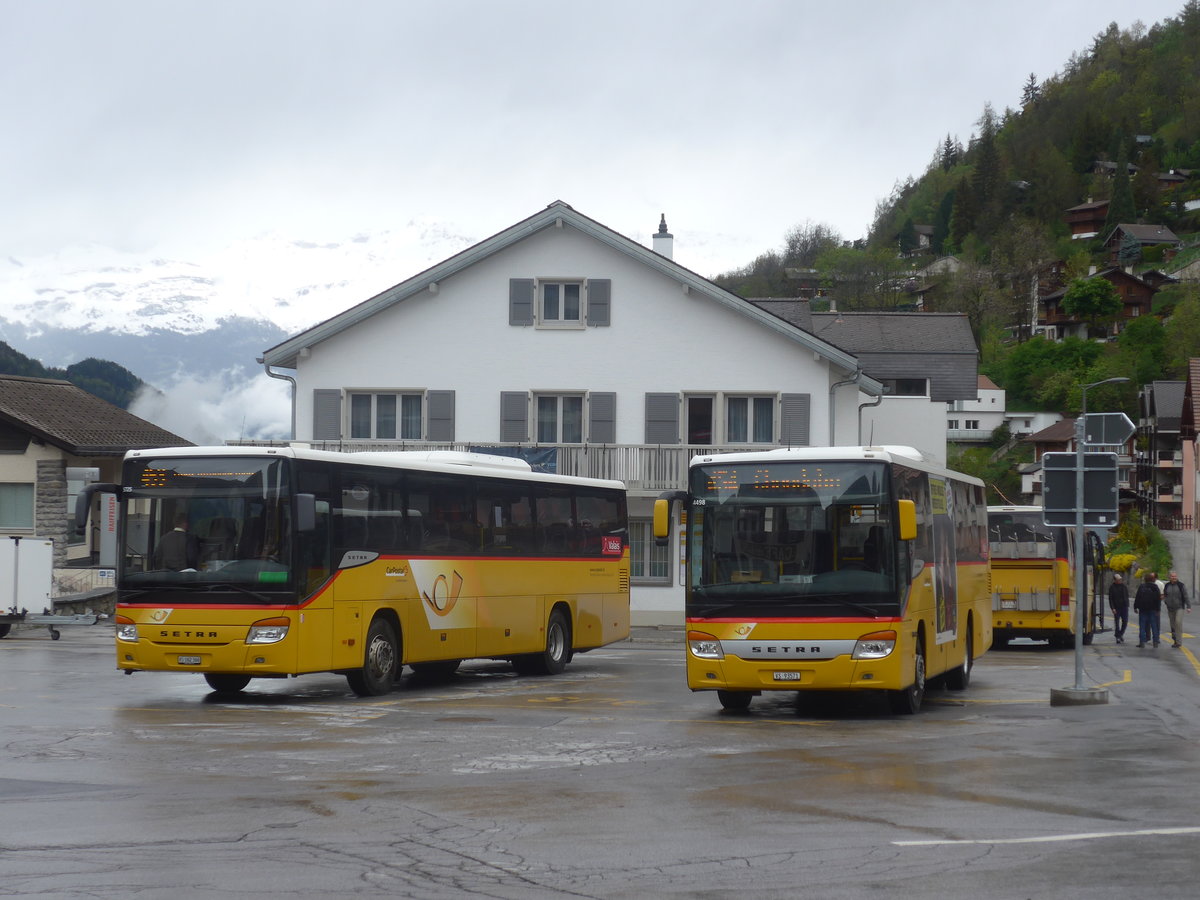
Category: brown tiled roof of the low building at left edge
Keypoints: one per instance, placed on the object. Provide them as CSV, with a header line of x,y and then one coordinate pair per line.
x,y
75,421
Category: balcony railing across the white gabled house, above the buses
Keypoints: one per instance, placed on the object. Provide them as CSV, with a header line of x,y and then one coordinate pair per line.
x,y
644,469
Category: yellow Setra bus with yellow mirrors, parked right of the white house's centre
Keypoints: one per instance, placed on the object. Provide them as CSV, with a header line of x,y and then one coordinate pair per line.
x,y
832,569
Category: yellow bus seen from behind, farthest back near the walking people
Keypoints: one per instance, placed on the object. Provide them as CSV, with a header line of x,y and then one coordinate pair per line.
x,y
1034,578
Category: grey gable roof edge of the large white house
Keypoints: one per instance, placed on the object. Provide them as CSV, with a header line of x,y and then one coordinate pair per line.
x,y
559,214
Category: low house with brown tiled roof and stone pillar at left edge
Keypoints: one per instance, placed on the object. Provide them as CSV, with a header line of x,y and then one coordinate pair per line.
x,y
55,439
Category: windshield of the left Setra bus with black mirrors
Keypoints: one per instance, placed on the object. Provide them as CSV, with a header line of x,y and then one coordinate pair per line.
x,y
203,523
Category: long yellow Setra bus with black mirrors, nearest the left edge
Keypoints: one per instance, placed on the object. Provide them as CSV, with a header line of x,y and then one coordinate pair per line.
x,y
245,563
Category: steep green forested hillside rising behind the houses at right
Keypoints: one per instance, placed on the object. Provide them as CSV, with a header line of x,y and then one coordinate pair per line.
x,y
998,205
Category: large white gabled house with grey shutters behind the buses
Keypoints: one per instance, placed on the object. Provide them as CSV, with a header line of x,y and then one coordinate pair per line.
x,y
562,340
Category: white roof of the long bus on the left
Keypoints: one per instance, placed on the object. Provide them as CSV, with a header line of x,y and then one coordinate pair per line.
x,y
447,461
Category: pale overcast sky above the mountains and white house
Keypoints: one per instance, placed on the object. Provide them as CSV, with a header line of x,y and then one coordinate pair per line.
x,y
181,127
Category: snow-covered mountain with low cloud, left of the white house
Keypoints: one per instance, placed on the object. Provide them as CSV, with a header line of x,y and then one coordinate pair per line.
x,y
194,328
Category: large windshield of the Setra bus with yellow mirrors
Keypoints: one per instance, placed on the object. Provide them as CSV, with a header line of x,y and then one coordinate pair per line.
x,y
794,538
